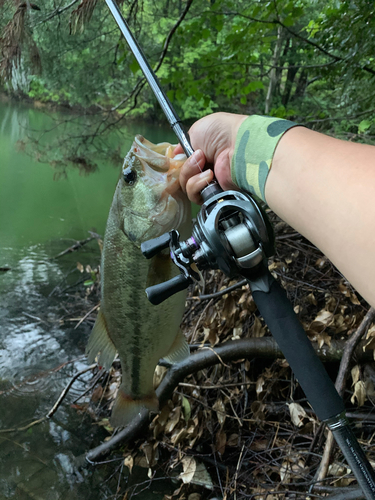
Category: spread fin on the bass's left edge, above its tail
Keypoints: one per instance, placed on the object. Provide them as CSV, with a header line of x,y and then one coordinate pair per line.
x,y
100,344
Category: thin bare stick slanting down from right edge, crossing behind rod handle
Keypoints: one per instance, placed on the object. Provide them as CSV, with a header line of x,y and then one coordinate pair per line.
x,y
347,356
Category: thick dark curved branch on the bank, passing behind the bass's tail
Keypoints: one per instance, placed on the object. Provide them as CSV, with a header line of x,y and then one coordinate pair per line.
x,y
265,347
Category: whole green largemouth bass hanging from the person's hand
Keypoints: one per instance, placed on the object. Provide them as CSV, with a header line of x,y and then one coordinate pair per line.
x,y
148,202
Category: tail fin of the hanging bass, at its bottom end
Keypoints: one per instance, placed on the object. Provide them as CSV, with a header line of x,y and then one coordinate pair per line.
x,y
126,408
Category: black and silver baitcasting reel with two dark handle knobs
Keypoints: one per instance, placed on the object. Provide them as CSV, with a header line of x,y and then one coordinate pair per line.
x,y
232,233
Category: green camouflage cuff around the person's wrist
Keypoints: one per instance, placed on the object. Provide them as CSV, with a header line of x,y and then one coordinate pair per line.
x,y
256,142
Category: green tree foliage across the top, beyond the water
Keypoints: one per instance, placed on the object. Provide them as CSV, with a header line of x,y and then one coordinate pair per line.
x,y
312,61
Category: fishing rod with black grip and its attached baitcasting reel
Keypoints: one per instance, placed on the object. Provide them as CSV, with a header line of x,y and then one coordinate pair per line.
x,y
232,233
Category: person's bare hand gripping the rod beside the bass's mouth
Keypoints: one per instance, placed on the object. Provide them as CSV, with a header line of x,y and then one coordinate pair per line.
x,y
213,138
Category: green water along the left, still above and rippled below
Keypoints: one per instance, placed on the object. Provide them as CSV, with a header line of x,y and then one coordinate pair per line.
x,y
40,217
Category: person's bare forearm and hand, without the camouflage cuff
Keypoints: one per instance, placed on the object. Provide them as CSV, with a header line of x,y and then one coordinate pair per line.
x,y
321,186
